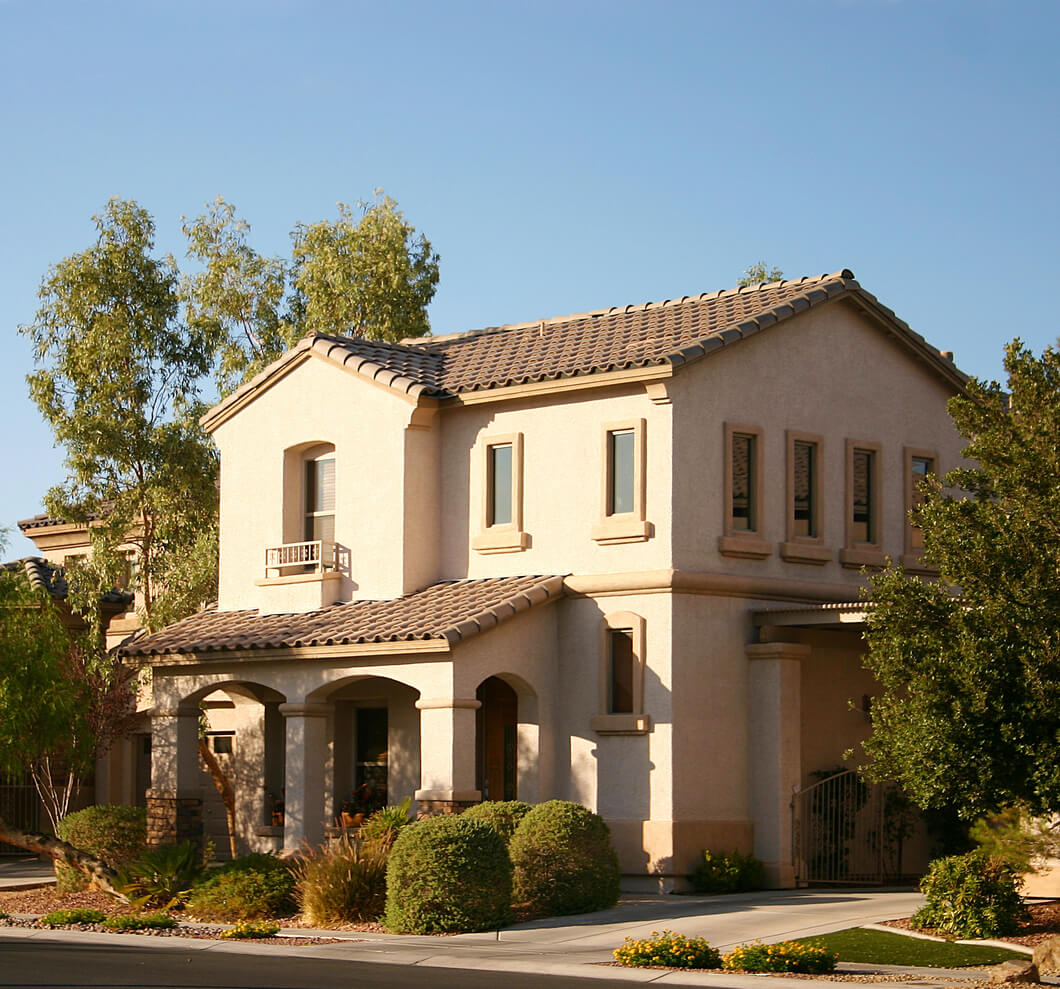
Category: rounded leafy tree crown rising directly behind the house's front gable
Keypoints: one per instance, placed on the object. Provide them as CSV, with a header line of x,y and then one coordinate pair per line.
x,y
367,277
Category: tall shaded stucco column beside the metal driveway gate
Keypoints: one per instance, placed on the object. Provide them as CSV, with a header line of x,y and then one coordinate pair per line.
x,y
776,743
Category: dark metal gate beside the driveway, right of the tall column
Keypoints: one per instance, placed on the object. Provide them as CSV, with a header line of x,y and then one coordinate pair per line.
x,y
846,832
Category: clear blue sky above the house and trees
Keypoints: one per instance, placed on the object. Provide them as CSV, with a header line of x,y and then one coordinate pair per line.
x,y
560,157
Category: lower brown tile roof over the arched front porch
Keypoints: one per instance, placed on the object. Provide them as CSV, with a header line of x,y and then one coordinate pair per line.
x,y
451,611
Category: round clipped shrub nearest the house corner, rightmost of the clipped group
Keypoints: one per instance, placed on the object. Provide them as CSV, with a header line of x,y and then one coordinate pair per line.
x,y
563,861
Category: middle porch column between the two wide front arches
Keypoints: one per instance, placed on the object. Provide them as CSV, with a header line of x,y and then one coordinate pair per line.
x,y
306,758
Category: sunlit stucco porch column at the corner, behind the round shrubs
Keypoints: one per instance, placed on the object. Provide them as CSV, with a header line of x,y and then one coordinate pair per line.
x,y
447,755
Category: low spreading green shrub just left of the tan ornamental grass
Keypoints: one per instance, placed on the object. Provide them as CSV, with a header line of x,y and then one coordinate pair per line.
x,y
246,889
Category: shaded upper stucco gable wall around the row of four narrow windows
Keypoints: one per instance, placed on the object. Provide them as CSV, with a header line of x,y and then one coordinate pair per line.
x,y
831,373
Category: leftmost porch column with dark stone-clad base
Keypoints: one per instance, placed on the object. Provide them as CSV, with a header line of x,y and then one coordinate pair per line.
x,y
175,799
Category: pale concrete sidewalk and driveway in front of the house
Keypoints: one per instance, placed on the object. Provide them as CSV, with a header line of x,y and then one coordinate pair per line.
x,y
575,947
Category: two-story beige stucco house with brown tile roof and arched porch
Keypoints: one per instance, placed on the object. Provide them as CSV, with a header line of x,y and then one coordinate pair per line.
x,y
608,558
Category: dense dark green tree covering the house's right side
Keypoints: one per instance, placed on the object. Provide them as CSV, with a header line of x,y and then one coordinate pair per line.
x,y
969,688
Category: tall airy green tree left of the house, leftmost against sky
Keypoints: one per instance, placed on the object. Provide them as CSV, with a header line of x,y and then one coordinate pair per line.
x,y
117,380
